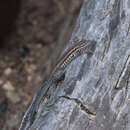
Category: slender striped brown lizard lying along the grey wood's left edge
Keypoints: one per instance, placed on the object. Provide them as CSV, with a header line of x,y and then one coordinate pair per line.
x,y
57,75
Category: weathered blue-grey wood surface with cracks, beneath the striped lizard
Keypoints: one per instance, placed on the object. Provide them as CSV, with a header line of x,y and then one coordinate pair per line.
x,y
99,83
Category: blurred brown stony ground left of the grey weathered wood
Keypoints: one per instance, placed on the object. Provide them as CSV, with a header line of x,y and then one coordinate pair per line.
x,y
33,33
